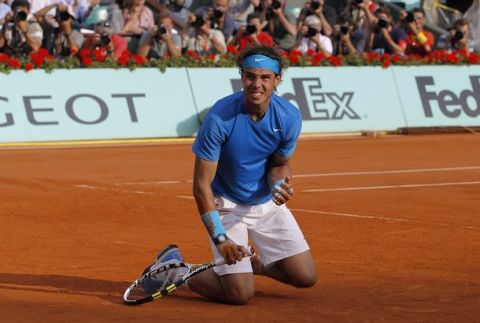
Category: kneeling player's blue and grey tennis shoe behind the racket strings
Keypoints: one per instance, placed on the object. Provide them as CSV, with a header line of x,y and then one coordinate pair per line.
x,y
168,255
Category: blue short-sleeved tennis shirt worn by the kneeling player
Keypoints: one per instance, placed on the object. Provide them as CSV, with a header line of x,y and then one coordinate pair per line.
x,y
242,146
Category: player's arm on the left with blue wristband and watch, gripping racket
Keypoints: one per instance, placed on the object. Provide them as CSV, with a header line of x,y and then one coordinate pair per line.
x,y
204,172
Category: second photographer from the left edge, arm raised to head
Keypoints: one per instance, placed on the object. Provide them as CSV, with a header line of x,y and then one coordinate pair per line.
x,y
63,40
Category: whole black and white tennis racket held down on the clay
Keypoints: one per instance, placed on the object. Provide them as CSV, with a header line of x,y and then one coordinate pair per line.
x,y
139,292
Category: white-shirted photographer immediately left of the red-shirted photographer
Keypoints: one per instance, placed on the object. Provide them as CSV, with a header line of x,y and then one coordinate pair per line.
x,y
205,40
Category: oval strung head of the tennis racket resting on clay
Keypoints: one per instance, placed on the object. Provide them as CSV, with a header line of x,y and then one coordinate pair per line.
x,y
153,284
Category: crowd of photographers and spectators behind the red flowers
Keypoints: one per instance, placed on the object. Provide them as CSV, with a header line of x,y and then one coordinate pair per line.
x,y
160,28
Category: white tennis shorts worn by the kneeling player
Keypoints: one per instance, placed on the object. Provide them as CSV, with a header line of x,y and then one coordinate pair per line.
x,y
272,229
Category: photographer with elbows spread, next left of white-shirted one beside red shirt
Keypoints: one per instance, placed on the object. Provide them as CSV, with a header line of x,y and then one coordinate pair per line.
x,y
161,40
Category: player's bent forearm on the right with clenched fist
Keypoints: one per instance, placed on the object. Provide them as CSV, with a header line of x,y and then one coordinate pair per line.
x,y
280,178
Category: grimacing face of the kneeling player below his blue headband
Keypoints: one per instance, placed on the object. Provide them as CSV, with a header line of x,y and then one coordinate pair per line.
x,y
258,86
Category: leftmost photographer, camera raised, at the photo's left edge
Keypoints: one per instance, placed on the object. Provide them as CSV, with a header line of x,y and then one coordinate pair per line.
x,y
20,35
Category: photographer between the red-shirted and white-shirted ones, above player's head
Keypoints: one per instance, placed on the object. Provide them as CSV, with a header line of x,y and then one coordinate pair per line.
x,y
281,25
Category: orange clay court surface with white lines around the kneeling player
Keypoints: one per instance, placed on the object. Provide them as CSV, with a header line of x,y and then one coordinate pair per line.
x,y
393,223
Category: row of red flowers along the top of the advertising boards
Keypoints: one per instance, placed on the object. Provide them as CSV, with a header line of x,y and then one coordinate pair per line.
x,y
99,58
